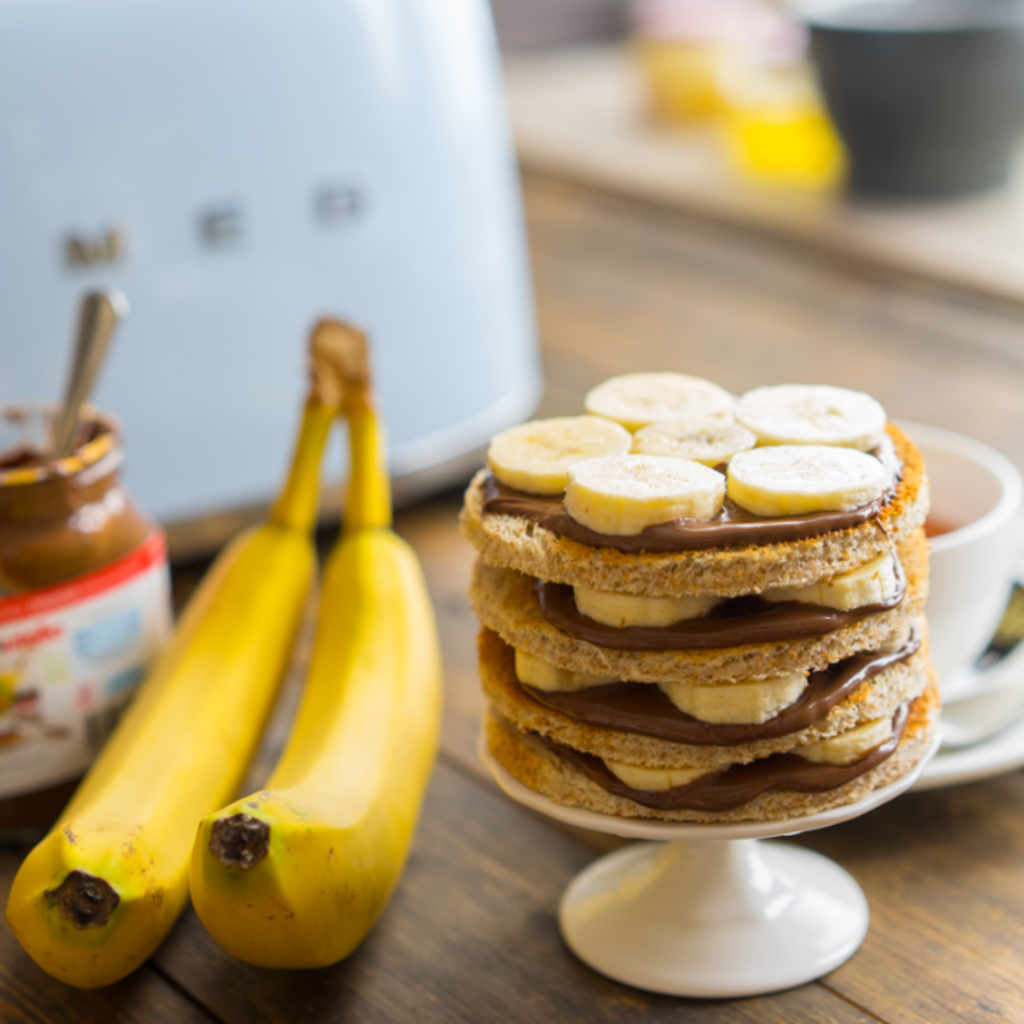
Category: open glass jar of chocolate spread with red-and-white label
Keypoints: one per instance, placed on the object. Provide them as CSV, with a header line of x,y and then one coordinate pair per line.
x,y
84,608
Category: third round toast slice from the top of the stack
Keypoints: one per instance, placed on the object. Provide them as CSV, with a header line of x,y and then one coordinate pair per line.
x,y
877,698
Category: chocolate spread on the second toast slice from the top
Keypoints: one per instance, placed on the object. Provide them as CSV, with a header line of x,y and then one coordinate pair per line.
x,y
734,623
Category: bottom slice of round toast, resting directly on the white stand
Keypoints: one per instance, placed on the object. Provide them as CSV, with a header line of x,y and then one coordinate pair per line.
x,y
528,760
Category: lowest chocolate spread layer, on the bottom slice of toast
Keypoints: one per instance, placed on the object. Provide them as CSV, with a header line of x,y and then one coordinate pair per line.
x,y
738,785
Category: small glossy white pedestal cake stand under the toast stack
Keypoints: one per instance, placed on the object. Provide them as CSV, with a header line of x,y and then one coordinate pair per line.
x,y
709,912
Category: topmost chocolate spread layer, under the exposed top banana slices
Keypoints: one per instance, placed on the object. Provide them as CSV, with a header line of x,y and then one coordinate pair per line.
x,y
734,527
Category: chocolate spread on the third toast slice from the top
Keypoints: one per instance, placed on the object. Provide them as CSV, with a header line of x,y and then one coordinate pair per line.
x,y
644,708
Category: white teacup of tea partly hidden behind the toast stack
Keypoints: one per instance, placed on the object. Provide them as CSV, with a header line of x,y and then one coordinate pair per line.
x,y
976,501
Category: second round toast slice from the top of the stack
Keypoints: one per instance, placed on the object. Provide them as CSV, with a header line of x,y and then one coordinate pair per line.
x,y
506,603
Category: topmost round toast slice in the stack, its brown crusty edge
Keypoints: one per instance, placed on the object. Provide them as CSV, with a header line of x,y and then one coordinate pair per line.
x,y
509,542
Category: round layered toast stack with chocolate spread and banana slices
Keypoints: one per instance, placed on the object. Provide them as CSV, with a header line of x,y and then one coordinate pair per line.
x,y
703,609
